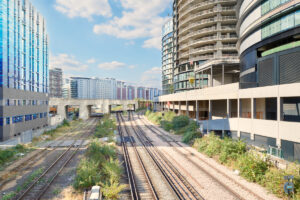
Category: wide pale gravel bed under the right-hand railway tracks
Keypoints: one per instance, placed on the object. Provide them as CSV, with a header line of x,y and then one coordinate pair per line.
x,y
188,158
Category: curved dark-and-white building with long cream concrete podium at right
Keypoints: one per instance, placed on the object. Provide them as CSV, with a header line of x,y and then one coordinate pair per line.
x,y
263,108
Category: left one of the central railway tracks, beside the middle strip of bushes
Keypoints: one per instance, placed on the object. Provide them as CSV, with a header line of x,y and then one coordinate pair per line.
x,y
141,186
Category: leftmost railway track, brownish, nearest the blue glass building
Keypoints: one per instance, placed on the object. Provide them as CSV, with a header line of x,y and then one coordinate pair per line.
x,y
5,179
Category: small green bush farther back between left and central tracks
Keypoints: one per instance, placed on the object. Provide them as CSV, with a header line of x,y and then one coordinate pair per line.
x,y
105,128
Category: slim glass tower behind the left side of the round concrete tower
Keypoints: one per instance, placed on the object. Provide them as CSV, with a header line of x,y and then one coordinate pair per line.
x,y
167,57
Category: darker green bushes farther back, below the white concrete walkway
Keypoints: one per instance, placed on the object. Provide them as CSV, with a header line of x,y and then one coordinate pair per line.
x,y
180,125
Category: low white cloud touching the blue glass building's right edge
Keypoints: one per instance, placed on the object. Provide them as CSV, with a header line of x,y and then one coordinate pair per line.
x,y
67,63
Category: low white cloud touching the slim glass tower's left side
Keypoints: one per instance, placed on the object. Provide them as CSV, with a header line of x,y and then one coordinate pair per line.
x,y
152,78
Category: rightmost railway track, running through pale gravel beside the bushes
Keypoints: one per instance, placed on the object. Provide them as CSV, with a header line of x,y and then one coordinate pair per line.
x,y
171,141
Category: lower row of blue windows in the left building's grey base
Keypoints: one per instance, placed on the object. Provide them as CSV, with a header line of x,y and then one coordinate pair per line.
x,y
21,118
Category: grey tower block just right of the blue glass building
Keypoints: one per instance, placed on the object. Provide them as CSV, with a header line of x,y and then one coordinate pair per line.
x,y
55,82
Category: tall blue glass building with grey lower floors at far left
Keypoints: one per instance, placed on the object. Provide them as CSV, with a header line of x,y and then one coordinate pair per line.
x,y
23,69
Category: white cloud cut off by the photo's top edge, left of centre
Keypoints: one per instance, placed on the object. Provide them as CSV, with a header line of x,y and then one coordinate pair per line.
x,y
83,8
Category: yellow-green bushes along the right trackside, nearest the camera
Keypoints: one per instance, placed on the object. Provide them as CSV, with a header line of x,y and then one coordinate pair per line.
x,y
252,166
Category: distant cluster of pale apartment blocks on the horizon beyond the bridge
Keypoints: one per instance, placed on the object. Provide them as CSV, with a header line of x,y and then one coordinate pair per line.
x,y
97,88
